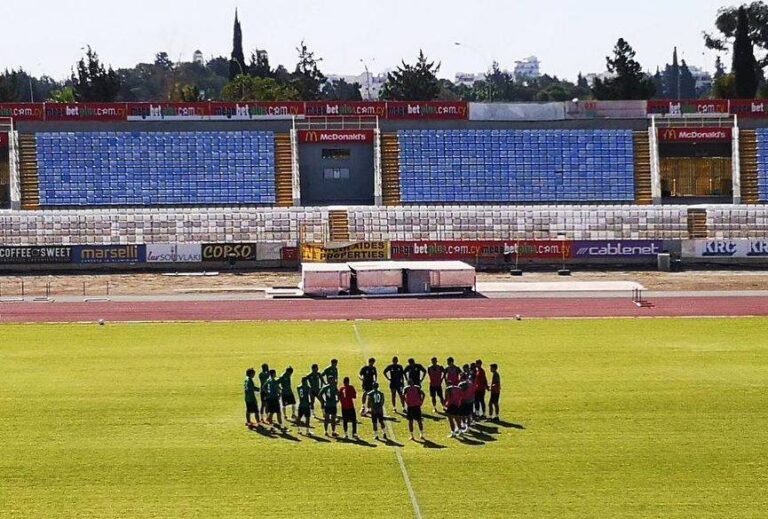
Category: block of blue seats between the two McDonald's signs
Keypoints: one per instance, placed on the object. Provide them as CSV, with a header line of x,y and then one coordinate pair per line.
x,y
516,166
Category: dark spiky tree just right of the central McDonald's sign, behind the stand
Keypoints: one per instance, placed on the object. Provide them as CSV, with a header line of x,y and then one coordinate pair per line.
x,y
413,82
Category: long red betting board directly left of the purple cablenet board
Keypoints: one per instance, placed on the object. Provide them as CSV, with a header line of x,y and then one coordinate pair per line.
x,y
472,250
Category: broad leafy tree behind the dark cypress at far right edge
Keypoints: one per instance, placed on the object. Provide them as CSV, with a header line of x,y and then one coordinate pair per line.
x,y
727,22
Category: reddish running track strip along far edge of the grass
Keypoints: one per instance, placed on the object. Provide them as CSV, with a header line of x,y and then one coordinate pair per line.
x,y
378,309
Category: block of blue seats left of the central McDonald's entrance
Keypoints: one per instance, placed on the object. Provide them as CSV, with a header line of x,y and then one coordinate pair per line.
x,y
94,169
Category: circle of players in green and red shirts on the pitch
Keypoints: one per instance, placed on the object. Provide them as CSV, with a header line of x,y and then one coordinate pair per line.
x,y
461,392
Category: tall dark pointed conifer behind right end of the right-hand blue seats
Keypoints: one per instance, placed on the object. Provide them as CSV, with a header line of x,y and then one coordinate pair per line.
x,y
628,80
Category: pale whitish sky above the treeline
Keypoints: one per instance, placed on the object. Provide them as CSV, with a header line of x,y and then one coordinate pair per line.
x,y
568,36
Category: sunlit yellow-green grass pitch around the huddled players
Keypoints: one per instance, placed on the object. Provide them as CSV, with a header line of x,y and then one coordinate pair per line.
x,y
622,418
